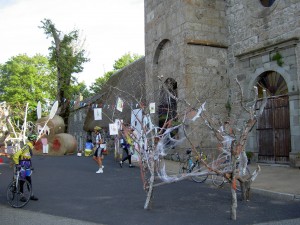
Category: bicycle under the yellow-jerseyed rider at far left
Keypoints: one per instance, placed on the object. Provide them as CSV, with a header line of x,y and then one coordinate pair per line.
x,y
19,190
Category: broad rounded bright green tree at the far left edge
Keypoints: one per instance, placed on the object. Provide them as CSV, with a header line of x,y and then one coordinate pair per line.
x,y
25,79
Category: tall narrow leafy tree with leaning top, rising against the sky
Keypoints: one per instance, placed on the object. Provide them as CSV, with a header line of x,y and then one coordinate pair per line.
x,y
67,56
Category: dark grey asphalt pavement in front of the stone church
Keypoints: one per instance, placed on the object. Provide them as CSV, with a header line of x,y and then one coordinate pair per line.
x,y
71,192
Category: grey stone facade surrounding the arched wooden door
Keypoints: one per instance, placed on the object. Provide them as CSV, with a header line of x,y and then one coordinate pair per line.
x,y
256,34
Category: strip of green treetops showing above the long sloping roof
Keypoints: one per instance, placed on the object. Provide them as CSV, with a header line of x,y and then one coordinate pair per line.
x,y
119,64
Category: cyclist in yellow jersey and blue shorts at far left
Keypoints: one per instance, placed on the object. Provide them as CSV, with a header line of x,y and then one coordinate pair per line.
x,y
22,158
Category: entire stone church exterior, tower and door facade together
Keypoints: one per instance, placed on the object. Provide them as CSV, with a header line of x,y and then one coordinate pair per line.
x,y
205,45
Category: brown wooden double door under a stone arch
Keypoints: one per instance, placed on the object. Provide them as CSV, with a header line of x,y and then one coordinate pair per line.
x,y
274,138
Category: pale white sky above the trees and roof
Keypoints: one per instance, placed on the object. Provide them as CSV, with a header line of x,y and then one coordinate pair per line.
x,y
111,28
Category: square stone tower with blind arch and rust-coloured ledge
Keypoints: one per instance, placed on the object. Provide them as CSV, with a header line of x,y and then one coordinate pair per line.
x,y
187,42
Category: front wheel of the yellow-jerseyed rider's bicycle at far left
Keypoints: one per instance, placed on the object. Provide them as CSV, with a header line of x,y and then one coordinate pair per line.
x,y
15,197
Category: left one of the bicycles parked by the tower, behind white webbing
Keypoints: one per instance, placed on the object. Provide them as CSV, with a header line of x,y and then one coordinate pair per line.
x,y
189,166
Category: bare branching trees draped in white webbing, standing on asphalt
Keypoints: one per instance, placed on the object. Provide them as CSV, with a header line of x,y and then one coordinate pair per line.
x,y
158,136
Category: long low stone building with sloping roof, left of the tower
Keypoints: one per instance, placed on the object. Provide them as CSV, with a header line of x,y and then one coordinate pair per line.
x,y
130,80
